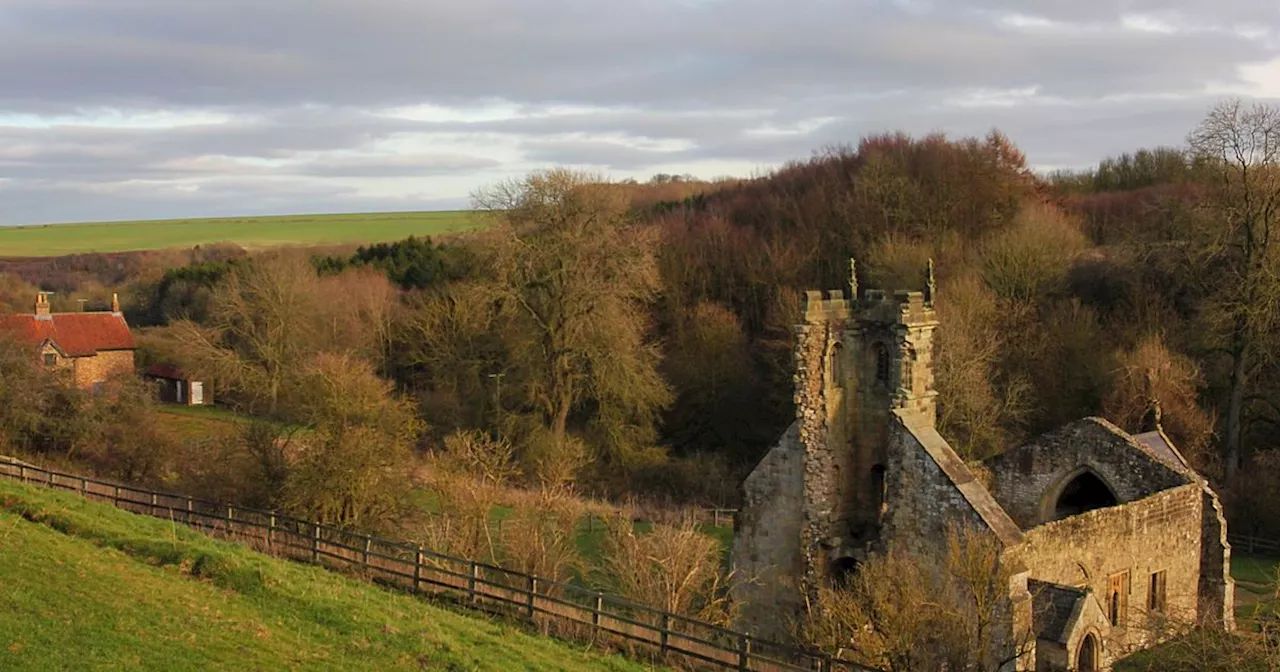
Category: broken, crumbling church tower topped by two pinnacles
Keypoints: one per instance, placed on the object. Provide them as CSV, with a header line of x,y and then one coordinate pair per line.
x,y
858,360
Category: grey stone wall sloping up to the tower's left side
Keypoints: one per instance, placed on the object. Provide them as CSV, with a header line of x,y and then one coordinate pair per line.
x,y
766,554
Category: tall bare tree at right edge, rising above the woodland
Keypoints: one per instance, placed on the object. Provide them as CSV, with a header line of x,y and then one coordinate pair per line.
x,y
1241,148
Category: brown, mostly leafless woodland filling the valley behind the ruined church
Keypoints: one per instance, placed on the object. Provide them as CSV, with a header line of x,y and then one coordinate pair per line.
x,y
601,345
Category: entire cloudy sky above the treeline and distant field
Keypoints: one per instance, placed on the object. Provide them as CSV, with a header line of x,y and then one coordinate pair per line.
x,y
132,109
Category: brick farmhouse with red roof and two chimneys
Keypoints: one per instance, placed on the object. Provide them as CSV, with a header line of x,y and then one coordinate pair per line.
x,y
90,348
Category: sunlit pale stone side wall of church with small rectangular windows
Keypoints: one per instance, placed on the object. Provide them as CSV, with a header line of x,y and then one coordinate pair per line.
x,y
1159,533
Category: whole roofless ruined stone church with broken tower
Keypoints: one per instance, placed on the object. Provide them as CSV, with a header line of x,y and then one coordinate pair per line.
x,y
1105,533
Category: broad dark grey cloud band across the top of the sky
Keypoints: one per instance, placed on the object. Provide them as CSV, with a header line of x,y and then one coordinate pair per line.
x,y
248,54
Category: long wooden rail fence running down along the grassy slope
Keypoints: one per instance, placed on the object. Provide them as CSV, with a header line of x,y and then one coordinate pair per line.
x,y
560,610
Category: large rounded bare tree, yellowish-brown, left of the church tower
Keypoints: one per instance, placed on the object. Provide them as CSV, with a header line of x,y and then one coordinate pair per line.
x,y
575,277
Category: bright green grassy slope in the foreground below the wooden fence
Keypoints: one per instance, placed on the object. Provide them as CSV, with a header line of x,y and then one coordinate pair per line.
x,y
86,587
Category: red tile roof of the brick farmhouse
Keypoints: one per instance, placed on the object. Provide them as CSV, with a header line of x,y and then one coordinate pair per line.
x,y
77,335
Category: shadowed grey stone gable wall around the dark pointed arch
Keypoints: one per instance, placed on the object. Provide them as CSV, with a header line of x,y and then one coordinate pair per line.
x,y
1028,477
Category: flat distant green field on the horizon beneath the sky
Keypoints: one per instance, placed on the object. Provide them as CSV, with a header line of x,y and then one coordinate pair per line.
x,y
56,240
